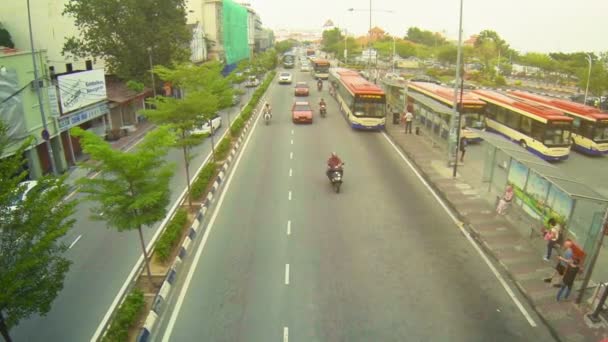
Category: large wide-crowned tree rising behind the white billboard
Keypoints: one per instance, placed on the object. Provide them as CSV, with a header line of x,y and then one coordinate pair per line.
x,y
120,32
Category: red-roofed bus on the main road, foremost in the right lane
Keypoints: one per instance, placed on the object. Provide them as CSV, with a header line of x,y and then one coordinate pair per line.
x,y
362,103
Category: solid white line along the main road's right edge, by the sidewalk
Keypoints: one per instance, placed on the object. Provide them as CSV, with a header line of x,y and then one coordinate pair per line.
x,y
460,226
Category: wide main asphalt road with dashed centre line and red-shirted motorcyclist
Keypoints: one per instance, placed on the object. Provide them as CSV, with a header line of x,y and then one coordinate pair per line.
x,y
381,261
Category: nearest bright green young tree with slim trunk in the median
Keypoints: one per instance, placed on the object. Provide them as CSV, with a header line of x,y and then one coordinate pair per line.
x,y
133,188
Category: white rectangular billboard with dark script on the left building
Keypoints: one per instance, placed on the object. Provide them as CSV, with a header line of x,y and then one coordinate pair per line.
x,y
81,89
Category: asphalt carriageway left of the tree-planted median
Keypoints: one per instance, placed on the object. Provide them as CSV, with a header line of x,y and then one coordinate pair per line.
x,y
102,260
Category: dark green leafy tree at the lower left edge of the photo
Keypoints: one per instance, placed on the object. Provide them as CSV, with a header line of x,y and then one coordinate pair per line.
x,y
32,263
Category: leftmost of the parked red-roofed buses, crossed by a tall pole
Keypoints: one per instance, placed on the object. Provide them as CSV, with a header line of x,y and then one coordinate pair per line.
x,y
426,99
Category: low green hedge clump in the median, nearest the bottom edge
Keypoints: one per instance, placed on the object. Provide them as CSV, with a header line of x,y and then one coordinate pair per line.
x,y
128,312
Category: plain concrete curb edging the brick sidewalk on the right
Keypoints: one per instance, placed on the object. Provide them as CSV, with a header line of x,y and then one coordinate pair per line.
x,y
475,235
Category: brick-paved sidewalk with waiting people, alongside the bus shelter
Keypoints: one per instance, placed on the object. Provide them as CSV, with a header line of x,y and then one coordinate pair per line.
x,y
507,239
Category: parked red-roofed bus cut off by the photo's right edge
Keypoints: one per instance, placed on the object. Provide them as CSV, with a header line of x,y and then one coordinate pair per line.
x,y
589,125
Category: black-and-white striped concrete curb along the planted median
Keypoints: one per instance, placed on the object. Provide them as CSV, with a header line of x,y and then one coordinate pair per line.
x,y
197,228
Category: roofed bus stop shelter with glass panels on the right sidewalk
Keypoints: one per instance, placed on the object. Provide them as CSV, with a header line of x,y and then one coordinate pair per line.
x,y
542,190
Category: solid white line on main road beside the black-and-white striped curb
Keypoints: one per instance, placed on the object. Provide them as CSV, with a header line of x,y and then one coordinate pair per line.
x,y
199,251
